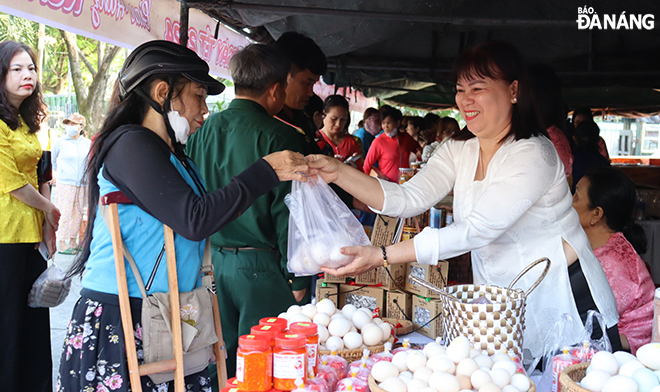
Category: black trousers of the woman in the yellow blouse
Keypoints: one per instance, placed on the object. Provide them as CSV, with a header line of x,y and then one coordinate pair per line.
x,y
25,357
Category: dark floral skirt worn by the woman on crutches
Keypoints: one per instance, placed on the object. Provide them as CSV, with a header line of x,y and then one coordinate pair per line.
x,y
94,355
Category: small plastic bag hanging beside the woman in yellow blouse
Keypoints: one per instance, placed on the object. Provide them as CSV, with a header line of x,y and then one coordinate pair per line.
x,y
50,289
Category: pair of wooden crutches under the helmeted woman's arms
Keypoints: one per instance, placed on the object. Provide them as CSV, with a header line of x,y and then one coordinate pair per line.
x,y
175,364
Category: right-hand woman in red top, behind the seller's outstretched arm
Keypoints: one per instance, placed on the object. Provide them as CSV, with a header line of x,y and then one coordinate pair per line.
x,y
391,150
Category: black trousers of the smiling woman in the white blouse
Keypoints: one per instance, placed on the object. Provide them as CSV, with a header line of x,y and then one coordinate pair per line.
x,y
585,303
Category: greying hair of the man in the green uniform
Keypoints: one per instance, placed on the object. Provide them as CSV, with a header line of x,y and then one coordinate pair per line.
x,y
256,68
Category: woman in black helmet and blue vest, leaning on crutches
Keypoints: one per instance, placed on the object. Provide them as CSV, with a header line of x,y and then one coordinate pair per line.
x,y
137,159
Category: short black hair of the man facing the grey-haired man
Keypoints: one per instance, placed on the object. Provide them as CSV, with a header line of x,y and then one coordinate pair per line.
x,y
302,52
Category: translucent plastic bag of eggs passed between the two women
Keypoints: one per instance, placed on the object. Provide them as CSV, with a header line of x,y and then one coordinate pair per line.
x,y
320,224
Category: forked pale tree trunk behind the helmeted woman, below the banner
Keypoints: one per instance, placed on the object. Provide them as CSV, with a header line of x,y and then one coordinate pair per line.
x,y
91,100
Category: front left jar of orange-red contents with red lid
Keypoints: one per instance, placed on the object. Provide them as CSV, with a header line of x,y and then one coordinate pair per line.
x,y
254,364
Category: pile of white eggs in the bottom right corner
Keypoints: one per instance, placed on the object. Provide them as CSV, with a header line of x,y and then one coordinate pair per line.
x,y
624,372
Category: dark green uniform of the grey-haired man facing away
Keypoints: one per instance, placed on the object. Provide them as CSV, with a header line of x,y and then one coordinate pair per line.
x,y
252,283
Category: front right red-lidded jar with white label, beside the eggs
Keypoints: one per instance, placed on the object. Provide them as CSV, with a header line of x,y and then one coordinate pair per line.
x,y
289,361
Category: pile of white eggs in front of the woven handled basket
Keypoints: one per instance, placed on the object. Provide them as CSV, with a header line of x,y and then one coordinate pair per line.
x,y
456,368
